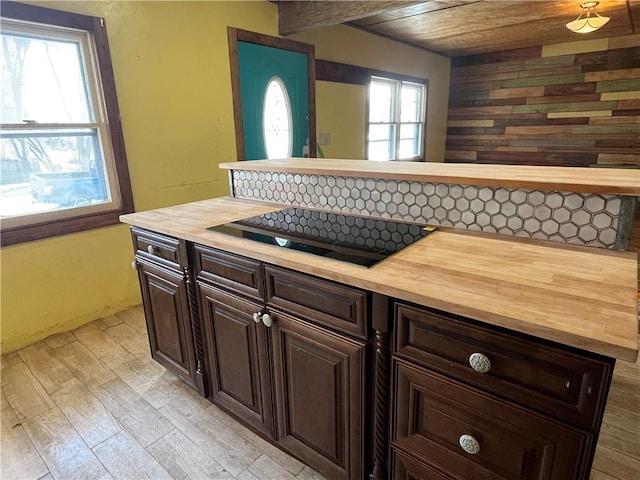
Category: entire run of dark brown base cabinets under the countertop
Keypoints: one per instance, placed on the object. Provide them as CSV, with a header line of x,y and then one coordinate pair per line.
x,y
358,385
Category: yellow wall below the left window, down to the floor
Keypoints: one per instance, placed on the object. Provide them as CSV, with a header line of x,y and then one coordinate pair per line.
x,y
58,284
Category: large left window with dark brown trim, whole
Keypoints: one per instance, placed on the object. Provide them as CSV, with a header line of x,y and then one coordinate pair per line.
x,y
62,161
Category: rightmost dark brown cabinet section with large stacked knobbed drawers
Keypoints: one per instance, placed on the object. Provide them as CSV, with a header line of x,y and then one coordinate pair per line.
x,y
475,402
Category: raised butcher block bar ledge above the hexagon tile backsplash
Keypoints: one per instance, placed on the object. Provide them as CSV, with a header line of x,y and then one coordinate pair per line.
x,y
569,179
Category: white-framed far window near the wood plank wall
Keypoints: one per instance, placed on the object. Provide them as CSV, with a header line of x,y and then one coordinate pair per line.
x,y
396,119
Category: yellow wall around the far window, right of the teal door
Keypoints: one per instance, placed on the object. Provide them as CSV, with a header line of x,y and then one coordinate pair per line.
x,y
345,44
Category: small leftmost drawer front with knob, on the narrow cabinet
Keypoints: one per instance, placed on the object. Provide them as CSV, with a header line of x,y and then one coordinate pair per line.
x,y
167,251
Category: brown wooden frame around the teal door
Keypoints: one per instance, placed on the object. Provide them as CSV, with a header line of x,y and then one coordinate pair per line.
x,y
235,35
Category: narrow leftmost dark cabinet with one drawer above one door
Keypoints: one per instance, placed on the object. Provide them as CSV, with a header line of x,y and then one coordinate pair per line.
x,y
165,298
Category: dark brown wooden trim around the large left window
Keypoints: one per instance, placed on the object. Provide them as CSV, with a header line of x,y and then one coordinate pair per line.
x,y
82,221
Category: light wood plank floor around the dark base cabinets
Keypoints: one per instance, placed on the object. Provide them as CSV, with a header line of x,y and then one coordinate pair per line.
x,y
92,404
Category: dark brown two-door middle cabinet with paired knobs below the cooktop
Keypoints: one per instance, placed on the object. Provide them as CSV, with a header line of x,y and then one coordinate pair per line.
x,y
279,361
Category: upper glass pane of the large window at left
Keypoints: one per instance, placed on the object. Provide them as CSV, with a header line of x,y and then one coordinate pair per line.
x,y
43,80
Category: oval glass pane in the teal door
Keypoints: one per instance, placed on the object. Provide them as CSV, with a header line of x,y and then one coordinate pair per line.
x,y
277,122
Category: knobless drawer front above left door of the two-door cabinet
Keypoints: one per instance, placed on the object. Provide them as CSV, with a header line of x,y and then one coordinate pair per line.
x,y
238,274
